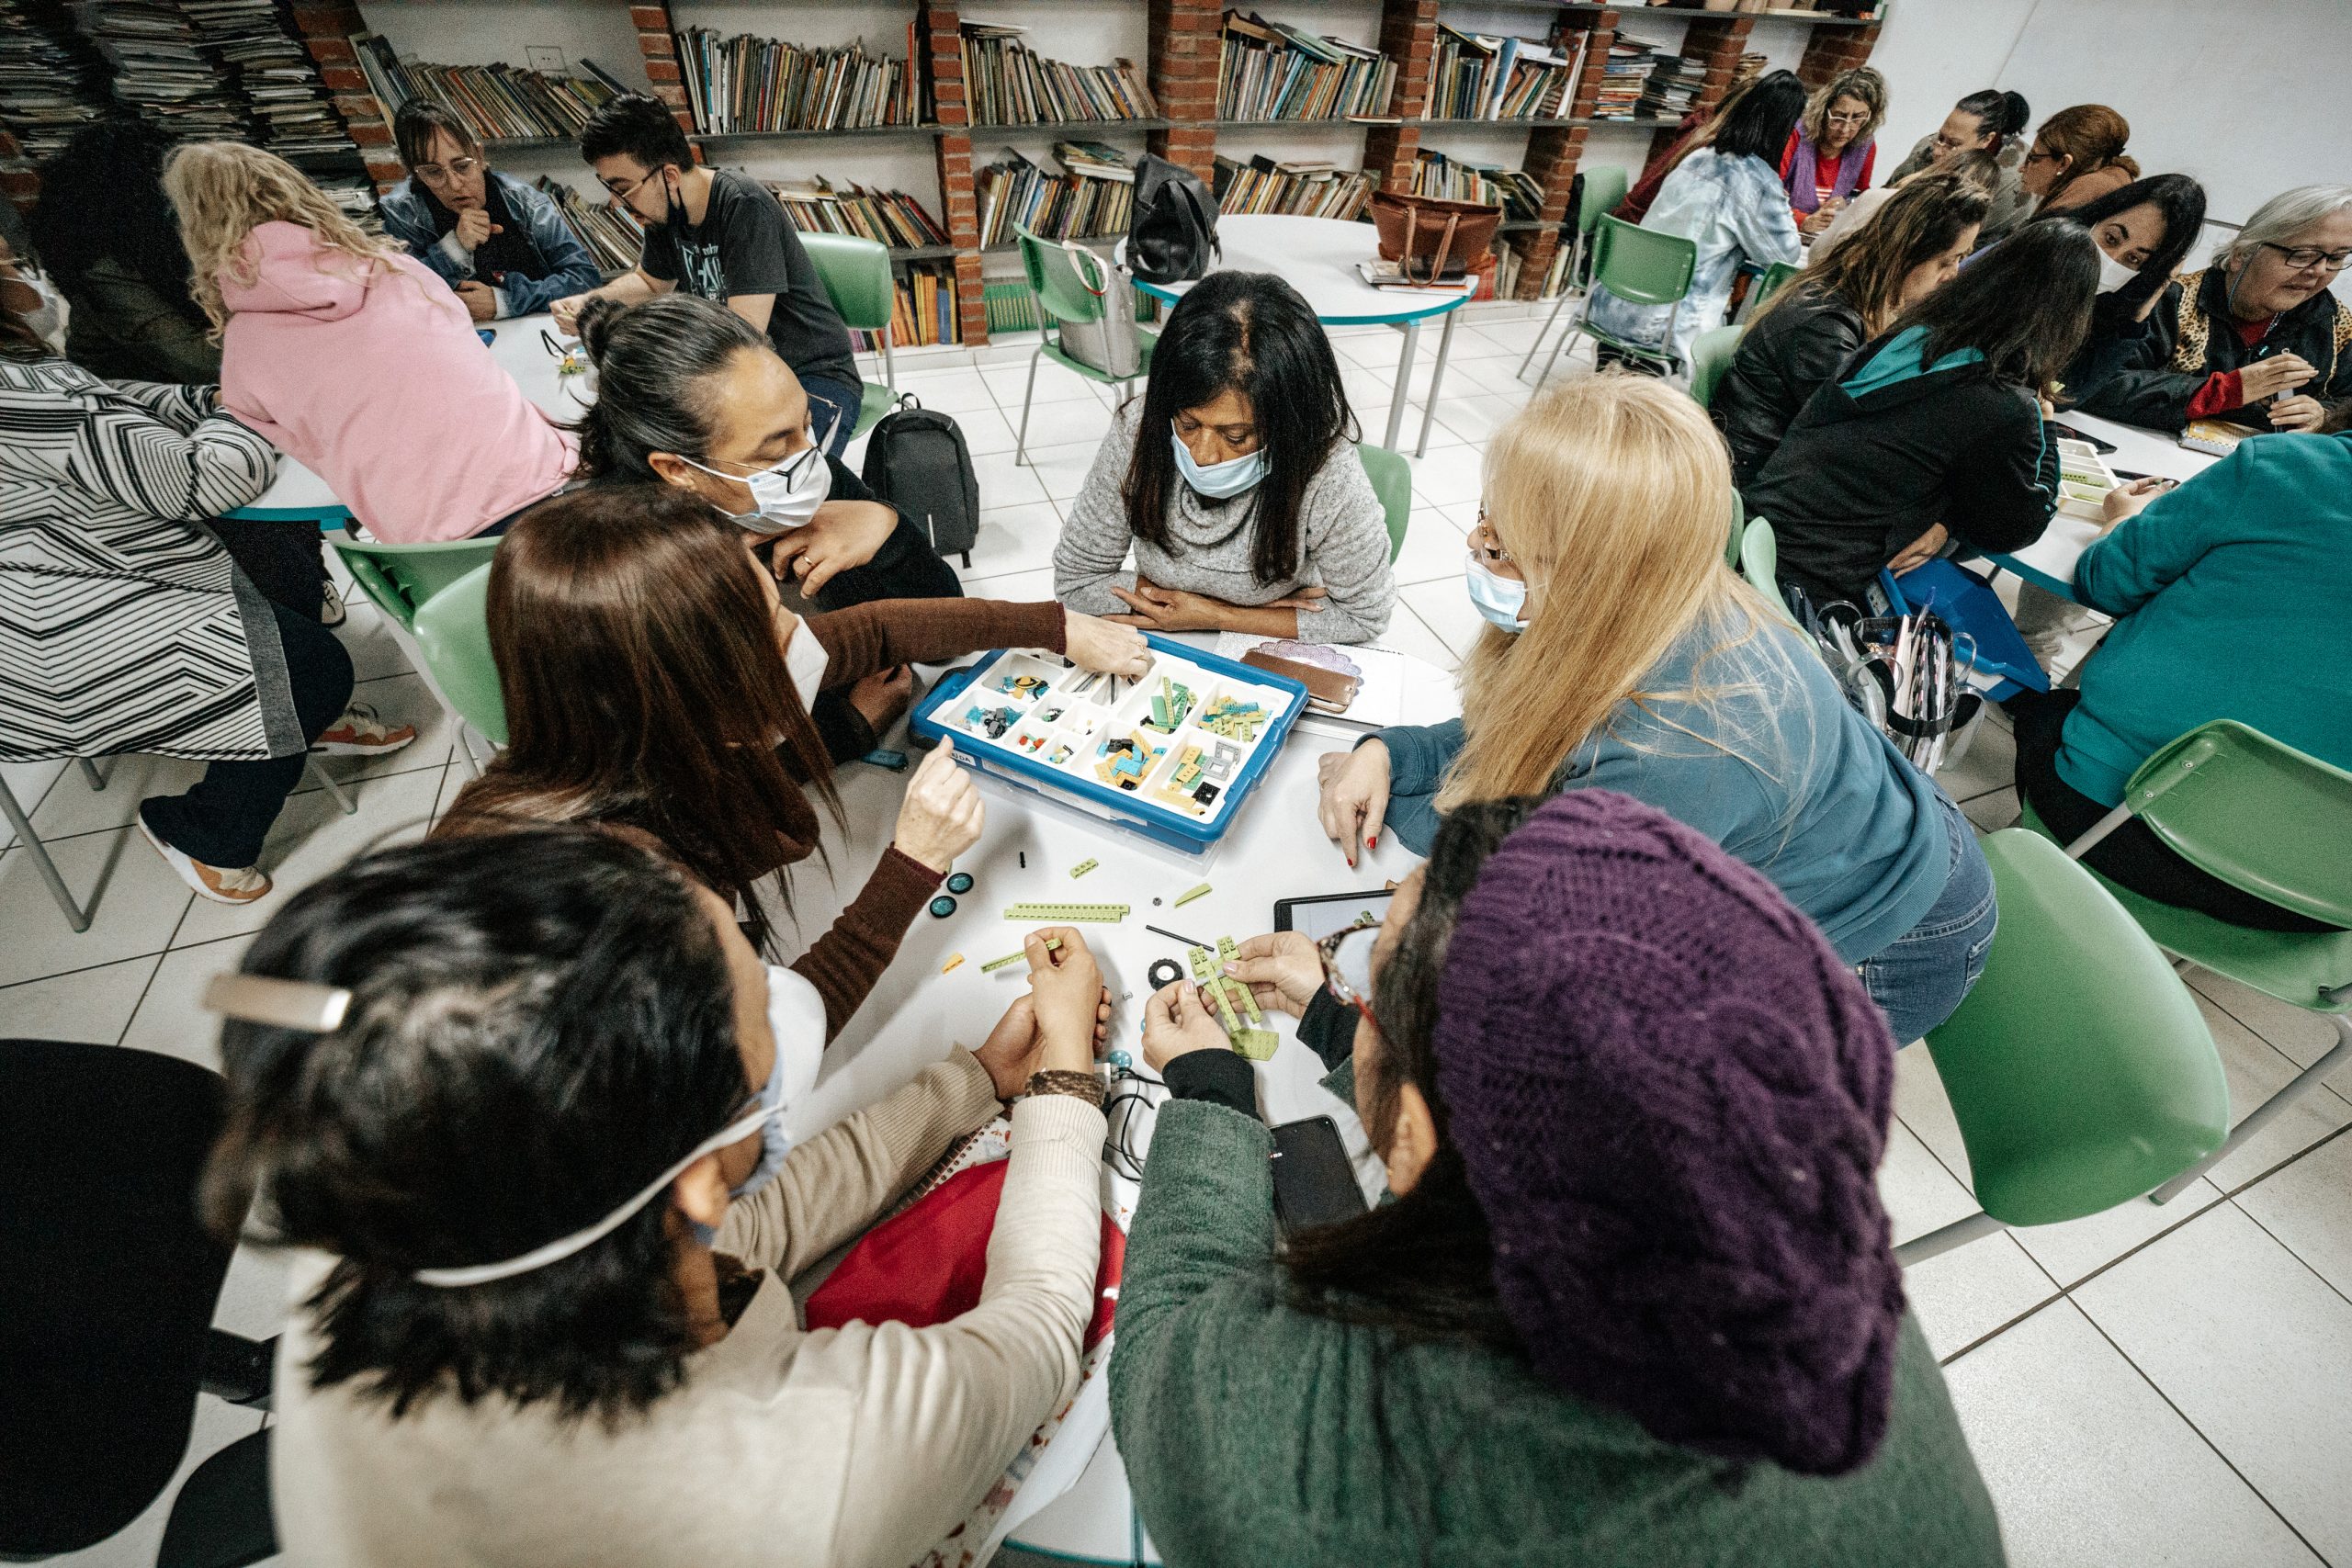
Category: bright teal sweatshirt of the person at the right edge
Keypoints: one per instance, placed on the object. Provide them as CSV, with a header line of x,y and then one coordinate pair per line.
x,y
2233,601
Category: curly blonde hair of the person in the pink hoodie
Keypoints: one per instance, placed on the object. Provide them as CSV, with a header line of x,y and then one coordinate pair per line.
x,y
225,192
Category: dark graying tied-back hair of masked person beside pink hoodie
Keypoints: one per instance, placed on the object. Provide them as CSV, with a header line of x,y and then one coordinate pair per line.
x,y
653,368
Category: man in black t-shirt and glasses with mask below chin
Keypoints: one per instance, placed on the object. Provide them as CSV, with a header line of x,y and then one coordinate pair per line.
x,y
721,236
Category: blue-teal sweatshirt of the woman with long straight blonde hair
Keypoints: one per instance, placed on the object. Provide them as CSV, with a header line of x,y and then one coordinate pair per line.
x,y
1775,765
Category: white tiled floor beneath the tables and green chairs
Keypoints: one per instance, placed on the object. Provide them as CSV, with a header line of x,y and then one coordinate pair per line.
x,y
2151,1386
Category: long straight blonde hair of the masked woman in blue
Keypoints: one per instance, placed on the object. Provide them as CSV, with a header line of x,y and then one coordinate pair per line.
x,y
1615,500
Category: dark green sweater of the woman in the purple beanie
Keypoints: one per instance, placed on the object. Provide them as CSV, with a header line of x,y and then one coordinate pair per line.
x,y
1262,1435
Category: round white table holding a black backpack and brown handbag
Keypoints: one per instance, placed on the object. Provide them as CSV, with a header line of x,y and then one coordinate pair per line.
x,y
1318,257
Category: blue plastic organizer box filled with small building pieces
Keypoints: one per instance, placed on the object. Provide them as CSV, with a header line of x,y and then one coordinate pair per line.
x,y
1140,756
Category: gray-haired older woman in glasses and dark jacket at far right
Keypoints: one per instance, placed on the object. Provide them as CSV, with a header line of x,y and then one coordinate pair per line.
x,y
2257,340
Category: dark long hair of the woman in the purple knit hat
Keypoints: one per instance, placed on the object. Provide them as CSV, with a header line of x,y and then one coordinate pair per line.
x,y
1422,1266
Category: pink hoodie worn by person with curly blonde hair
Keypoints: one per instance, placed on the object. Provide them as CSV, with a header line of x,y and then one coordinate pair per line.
x,y
380,387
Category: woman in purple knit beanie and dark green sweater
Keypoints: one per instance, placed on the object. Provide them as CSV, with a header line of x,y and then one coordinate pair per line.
x,y
1633,1299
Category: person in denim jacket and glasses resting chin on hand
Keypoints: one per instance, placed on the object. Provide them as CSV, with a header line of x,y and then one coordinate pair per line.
x,y
490,236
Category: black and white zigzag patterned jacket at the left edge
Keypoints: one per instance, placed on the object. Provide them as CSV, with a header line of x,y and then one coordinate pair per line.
x,y
123,624
